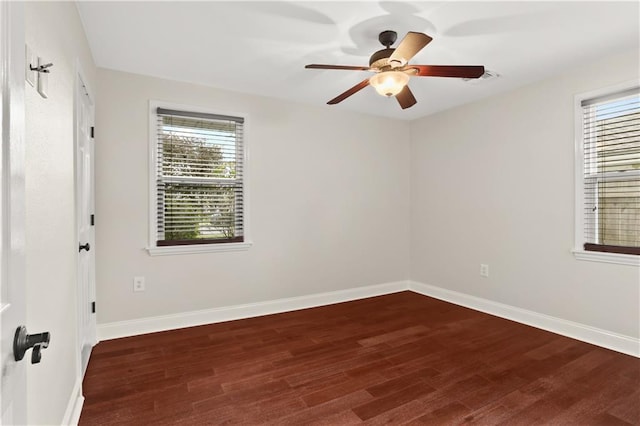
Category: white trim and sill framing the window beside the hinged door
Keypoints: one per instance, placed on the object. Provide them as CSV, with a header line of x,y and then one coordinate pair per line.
x,y
152,248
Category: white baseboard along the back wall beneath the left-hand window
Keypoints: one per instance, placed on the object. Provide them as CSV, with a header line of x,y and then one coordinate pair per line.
x,y
135,327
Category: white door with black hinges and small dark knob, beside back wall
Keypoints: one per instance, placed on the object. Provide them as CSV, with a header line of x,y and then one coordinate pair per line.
x,y
85,220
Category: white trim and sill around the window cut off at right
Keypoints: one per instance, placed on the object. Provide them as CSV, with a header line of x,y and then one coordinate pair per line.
x,y
578,250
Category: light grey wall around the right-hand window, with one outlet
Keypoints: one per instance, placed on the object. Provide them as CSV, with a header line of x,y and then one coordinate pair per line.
x,y
493,182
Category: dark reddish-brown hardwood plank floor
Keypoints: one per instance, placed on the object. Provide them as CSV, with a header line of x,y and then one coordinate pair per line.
x,y
400,358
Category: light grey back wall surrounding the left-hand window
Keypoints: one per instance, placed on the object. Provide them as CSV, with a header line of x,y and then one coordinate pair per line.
x,y
329,203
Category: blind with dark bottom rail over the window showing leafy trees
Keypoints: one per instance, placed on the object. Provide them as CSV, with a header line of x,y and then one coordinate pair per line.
x,y
199,178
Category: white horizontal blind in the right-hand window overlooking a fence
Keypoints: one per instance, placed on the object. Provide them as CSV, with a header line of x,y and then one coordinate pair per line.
x,y
611,179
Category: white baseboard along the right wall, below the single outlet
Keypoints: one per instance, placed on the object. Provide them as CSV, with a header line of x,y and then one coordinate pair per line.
x,y
607,339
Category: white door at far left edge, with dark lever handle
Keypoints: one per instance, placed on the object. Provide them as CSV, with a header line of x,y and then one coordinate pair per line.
x,y
13,398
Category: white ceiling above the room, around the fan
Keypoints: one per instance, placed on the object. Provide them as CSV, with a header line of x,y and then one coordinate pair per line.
x,y
262,47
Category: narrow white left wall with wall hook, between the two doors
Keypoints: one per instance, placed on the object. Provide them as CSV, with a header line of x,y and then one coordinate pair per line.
x,y
54,31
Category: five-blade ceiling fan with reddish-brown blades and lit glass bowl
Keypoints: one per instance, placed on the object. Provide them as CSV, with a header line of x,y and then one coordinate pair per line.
x,y
393,71
